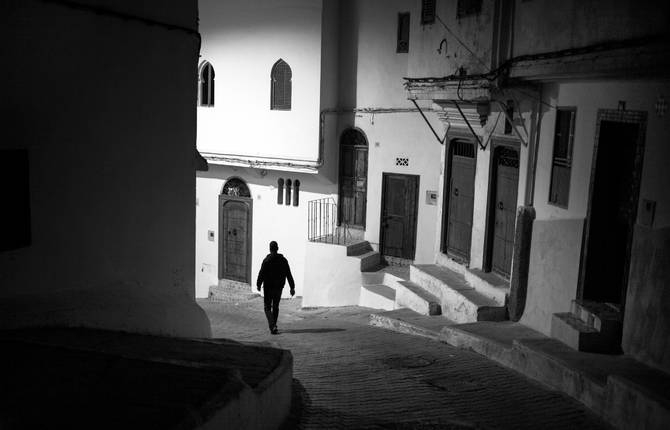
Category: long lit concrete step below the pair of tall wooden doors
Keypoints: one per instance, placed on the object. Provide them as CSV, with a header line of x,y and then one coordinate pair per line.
x,y
460,302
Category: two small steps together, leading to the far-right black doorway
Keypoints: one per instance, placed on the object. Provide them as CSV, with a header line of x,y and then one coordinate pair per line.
x,y
589,327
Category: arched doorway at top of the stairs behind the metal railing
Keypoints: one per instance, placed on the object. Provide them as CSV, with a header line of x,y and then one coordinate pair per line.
x,y
353,178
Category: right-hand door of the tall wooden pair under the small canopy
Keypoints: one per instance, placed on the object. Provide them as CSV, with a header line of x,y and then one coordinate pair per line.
x,y
504,209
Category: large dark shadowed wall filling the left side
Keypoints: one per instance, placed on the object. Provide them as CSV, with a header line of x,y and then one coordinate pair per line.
x,y
105,108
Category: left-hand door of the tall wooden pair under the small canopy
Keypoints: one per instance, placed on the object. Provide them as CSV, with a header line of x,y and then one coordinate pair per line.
x,y
460,199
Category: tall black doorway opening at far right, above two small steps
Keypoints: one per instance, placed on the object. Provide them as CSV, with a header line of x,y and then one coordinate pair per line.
x,y
615,179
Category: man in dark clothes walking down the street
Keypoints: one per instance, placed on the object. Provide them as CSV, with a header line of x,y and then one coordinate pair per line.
x,y
273,274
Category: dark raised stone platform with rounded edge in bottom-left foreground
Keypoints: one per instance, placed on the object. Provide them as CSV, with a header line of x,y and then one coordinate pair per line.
x,y
237,383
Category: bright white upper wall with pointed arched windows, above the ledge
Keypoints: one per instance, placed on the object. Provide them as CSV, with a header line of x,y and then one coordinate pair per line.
x,y
243,39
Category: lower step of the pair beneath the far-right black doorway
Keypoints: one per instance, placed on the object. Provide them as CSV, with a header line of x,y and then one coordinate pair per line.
x,y
577,334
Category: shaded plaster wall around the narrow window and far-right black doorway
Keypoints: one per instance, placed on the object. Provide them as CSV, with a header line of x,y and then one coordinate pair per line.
x,y
588,97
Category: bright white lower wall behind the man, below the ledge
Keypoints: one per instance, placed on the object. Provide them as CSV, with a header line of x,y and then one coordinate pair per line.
x,y
285,224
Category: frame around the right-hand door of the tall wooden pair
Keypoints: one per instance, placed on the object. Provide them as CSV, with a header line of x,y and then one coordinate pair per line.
x,y
496,142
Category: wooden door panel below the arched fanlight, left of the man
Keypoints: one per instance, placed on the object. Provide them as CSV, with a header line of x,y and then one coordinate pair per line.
x,y
235,233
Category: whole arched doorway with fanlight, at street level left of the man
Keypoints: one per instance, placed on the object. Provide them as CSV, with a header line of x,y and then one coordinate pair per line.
x,y
235,210
